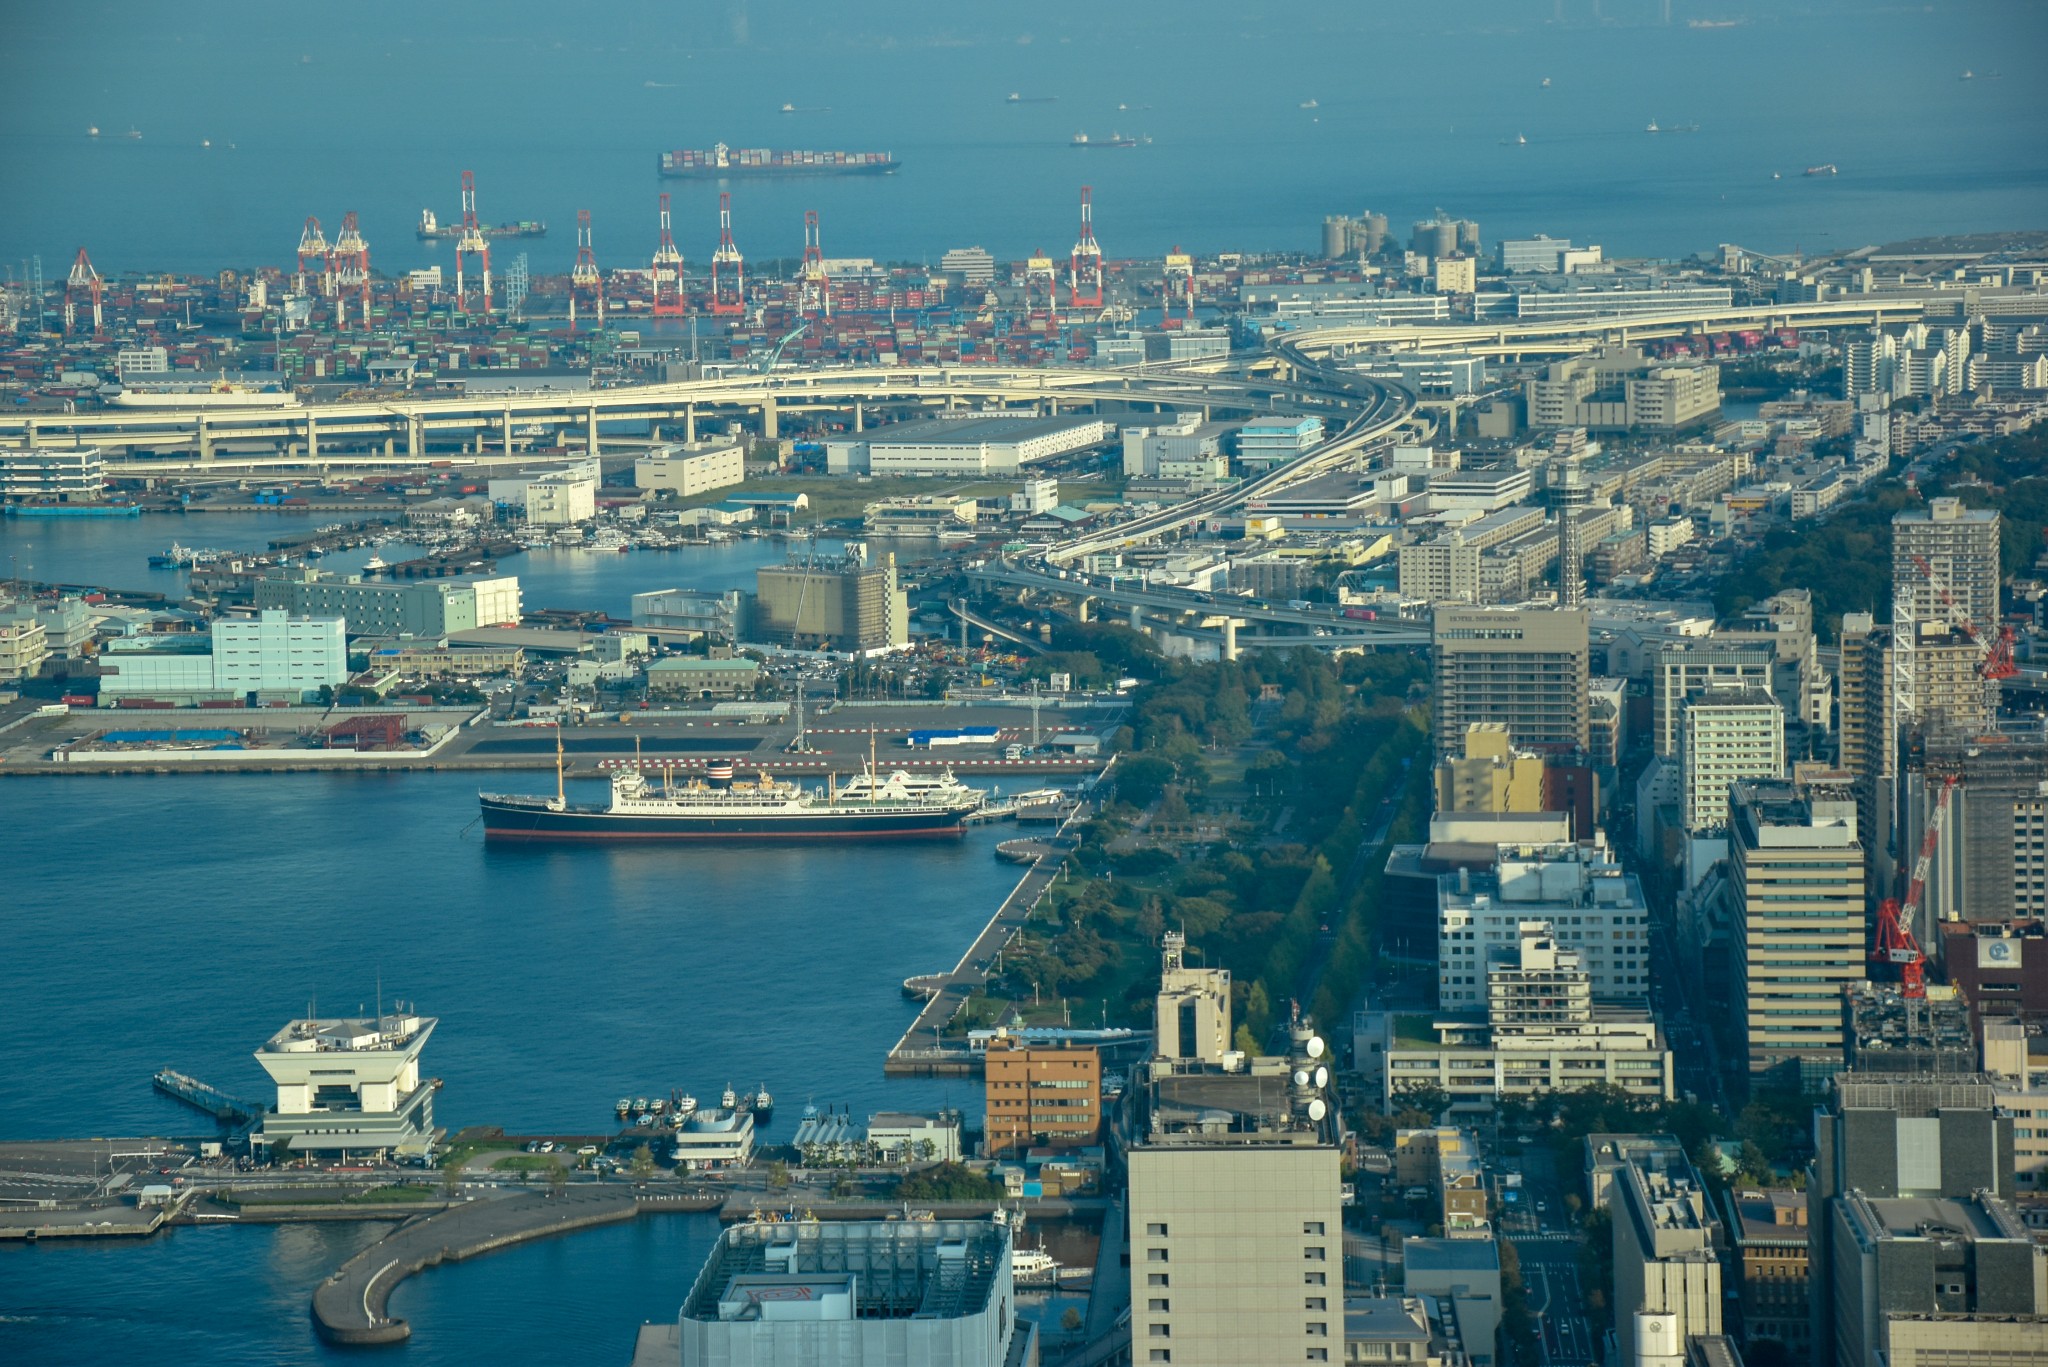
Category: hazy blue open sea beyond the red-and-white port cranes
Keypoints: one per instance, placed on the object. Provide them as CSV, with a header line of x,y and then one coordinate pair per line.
x,y
1418,110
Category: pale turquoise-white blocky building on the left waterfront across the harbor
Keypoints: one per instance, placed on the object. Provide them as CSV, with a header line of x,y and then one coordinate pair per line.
x,y
271,657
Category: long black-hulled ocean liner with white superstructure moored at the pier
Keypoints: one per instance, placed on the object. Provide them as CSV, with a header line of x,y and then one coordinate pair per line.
x,y
724,809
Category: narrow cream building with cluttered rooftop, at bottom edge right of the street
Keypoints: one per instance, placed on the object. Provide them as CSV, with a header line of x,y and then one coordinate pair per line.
x,y
1666,1255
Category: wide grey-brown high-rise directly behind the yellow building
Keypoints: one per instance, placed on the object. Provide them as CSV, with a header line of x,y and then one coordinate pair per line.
x,y
1525,669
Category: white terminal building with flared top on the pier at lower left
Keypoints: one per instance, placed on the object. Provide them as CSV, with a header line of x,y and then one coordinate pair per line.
x,y
351,1087
